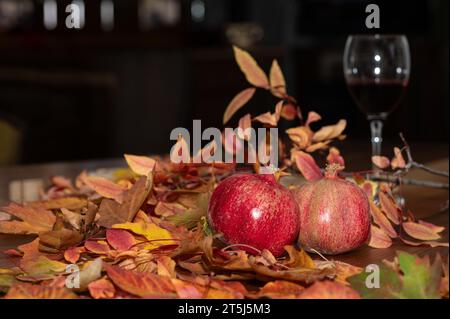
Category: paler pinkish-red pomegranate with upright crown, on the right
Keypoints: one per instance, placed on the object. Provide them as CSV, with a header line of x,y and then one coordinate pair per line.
x,y
334,214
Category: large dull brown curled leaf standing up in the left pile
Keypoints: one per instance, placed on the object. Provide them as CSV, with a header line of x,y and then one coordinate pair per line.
x,y
112,212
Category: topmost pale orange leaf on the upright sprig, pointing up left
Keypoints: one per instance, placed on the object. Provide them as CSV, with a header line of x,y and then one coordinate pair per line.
x,y
253,73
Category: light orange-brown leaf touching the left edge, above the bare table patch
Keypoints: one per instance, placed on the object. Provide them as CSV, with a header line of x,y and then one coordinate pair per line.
x,y
33,220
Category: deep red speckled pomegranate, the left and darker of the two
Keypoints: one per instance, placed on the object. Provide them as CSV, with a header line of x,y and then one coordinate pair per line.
x,y
254,210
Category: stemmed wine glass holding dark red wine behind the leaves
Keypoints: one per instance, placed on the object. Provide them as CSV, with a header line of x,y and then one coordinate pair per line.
x,y
376,69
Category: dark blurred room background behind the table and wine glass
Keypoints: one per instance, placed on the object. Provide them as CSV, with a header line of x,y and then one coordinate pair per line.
x,y
91,93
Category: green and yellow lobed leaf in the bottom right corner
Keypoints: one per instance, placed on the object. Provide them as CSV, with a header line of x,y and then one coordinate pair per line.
x,y
417,280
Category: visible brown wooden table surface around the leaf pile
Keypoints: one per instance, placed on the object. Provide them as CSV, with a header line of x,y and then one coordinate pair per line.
x,y
425,203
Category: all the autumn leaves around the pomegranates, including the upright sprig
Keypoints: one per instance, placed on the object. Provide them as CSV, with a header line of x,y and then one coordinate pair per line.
x,y
144,232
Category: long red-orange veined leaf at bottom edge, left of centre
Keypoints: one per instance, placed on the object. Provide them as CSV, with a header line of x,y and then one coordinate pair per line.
x,y
139,283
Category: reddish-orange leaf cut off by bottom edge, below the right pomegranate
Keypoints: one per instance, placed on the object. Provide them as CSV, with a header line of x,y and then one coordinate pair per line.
x,y
329,290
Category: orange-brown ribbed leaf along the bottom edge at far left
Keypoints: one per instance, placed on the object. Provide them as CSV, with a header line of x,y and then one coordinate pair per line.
x,y
30,291
